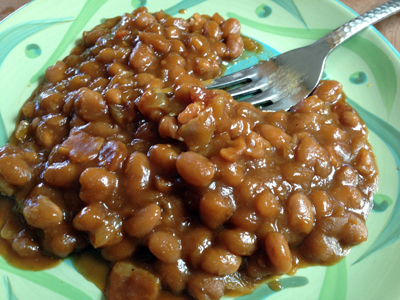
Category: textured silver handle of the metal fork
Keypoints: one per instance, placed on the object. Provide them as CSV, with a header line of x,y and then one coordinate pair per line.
x,y
339,35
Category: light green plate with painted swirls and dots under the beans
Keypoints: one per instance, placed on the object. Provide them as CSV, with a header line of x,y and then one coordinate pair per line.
x,y
367,65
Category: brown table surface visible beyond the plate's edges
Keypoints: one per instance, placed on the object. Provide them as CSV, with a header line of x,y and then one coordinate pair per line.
x,y
390,27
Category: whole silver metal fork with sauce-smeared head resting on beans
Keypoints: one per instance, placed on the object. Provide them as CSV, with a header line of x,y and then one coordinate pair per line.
x,y
286,79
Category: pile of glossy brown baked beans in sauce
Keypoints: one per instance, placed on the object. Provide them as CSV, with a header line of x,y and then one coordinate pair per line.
x,y
184,191
